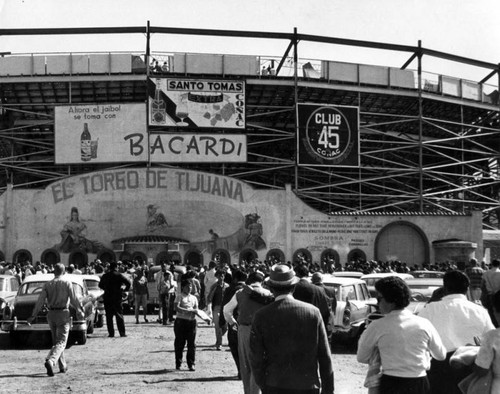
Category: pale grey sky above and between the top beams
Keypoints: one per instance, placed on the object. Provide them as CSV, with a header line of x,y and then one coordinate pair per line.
x,y
467,28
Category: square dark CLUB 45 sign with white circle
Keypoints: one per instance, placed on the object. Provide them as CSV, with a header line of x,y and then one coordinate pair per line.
x,y
328,135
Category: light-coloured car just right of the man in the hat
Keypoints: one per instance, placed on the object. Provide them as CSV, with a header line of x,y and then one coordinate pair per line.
x,y
354,304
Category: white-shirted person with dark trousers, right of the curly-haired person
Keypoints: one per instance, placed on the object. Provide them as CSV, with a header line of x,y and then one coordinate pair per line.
x,y
457,321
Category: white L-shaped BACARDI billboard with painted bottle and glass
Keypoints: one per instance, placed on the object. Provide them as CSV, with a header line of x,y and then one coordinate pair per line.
x,y
117,133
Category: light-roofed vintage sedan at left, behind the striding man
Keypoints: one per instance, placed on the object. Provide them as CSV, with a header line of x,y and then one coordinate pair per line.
x,y
15,314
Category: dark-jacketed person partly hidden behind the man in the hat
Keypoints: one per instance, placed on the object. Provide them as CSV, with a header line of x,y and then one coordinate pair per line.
x,y
307,292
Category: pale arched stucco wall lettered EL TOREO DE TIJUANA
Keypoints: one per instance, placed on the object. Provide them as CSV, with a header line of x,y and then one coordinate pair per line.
x,y
186,204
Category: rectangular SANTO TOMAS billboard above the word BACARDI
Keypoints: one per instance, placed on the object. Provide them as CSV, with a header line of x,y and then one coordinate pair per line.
x,y
196,103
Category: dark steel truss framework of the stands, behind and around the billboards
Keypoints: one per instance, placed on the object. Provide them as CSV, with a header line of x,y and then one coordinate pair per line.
x,y
419,151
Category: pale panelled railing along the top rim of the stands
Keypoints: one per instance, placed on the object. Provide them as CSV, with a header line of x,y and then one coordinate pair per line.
x,y
110,63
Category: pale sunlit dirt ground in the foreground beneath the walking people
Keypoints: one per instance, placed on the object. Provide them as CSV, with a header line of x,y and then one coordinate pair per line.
x,y
142,362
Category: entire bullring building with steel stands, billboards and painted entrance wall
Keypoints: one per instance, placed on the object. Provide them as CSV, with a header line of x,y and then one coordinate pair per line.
x,y
199,156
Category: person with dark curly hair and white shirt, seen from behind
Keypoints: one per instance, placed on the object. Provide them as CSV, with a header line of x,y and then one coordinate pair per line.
x,y
404,342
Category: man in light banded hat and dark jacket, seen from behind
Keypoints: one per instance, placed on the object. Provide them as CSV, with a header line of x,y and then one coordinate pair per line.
x,y
289,342
